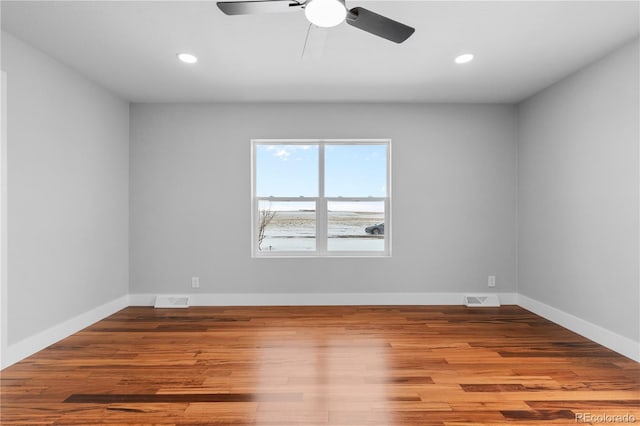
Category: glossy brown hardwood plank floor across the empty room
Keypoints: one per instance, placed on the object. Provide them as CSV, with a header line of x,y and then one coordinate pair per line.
x,y
434,365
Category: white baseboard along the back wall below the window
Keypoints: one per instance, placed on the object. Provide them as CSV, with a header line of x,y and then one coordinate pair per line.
x,y
321,299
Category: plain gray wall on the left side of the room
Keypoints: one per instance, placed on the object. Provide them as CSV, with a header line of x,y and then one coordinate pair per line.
x,y
67,194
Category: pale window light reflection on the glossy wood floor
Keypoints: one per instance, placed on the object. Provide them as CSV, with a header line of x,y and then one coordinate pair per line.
x,y
335,374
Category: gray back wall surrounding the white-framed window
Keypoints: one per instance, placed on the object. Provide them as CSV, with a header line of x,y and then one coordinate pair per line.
x,y
454,198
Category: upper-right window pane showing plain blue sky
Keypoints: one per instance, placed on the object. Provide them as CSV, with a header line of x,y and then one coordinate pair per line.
x,y
356,170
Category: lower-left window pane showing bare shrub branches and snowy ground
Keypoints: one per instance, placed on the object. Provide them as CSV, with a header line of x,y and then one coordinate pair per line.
x,y
286,226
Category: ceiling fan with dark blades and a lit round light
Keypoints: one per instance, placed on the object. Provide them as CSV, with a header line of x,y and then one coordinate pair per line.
x,y
325,13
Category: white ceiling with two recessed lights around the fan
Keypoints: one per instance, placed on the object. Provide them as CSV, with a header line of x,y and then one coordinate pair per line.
x,y
129,47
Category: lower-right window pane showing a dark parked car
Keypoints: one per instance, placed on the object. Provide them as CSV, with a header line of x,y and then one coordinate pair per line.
x,y
355,226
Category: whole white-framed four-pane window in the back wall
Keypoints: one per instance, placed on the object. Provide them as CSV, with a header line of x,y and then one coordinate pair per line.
x,y
321,198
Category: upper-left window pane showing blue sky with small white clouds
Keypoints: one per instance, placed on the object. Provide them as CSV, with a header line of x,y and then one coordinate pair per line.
x,y
286,170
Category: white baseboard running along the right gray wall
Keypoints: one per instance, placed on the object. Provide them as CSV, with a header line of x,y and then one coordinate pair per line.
x,y
621,344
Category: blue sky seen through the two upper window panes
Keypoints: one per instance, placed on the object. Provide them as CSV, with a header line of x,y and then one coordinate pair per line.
x,y
292,170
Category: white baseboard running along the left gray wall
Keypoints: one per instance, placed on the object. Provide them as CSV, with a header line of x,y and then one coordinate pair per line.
x,y
26,347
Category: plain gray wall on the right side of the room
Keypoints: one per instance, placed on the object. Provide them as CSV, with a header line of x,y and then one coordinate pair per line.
x,y
578,194
